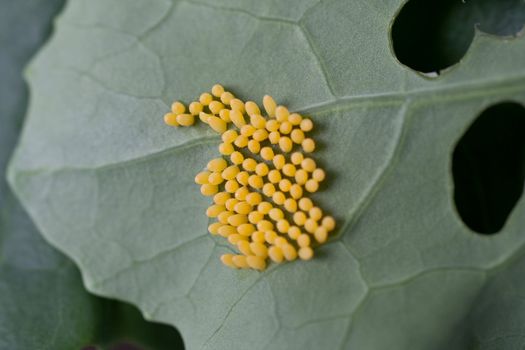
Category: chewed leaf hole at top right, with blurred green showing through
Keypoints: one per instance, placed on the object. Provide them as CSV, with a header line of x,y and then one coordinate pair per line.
x,y
431,35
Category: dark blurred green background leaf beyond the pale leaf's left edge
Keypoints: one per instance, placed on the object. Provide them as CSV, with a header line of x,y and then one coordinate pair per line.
x,y
43,304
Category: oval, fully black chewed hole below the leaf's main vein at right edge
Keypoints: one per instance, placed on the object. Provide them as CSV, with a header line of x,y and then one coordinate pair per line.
x,y
488,167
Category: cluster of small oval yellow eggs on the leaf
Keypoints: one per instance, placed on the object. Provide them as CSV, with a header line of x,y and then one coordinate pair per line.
x,y
259,183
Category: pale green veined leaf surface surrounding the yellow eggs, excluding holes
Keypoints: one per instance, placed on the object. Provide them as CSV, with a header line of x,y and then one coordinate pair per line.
x,y
111,186
